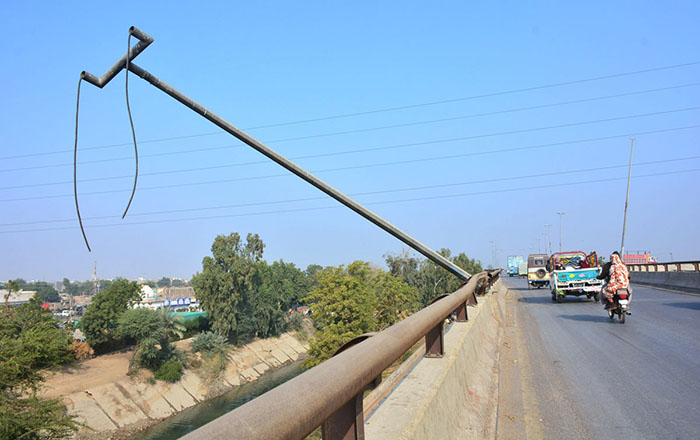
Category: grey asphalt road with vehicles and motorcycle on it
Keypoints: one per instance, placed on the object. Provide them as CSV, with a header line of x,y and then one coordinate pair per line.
x,y
584,376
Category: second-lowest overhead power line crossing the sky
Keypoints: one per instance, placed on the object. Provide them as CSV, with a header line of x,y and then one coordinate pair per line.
x,y
405,189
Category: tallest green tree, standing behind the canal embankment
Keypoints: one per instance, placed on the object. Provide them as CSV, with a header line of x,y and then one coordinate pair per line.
x,y
228,279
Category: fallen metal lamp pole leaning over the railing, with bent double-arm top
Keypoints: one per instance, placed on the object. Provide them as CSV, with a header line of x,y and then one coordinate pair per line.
x,y
273,155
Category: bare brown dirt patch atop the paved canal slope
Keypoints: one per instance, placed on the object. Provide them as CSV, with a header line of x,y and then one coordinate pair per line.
x,y
94,372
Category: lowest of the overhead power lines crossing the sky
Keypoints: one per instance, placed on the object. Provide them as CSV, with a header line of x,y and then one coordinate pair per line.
x,y
415,199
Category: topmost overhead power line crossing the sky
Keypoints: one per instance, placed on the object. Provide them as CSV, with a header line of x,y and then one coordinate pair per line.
x,y
381,110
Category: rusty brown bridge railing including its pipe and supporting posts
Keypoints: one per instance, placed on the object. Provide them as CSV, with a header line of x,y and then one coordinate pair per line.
x,y
330,394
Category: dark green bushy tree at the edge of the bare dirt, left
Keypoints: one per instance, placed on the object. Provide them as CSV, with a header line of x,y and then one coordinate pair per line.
x,y
99,322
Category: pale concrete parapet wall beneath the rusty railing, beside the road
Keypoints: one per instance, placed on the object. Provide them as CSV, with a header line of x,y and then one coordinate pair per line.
x,y
454,397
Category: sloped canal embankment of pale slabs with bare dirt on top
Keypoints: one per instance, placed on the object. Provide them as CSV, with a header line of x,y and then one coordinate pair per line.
x,y
113,405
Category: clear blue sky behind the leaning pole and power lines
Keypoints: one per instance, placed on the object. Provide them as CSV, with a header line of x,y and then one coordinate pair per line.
x,y
464,170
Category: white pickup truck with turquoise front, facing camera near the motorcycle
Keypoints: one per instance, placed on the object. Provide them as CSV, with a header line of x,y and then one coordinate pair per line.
x,y
574,273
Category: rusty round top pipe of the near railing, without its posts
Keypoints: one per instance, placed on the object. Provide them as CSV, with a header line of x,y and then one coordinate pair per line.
x,y
294,409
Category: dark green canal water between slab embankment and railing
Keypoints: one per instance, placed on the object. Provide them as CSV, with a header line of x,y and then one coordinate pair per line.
x,y
192,418
